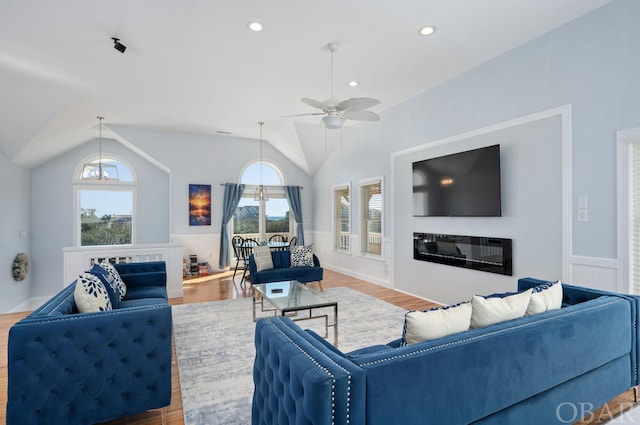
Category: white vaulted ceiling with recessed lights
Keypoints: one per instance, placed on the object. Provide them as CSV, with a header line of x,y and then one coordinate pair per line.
x,y
193,66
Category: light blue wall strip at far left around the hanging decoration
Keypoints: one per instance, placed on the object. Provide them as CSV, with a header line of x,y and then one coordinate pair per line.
x,y
15,216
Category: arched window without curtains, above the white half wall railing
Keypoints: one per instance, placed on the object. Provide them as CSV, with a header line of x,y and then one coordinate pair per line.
x,y
104,202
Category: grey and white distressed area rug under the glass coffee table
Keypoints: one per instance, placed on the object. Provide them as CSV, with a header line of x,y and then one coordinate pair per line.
x,y
214,346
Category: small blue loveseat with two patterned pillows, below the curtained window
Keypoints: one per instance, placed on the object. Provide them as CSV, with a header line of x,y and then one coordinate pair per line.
x,y
282,270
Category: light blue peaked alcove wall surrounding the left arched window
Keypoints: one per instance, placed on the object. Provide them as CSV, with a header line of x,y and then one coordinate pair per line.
x,y
53,209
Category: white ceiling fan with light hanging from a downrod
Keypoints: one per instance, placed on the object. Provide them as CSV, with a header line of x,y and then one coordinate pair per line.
x,y
335,111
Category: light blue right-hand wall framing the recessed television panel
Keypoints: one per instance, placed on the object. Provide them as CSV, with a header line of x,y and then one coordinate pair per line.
x,y
591,64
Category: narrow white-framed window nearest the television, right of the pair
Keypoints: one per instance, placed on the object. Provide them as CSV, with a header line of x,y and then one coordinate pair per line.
x,y
371,217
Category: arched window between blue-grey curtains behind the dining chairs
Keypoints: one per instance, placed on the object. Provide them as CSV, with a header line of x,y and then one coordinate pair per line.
x,y
260,219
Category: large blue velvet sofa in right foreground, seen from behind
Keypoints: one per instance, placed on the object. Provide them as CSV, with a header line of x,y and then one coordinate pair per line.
x,y
532,370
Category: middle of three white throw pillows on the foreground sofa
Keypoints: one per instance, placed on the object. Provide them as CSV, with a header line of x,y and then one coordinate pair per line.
x,y
487,311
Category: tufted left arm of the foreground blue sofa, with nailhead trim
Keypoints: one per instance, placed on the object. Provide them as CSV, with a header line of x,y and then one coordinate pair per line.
x,y
299,380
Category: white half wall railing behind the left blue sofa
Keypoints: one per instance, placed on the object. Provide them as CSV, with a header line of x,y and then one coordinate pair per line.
x,y
80,259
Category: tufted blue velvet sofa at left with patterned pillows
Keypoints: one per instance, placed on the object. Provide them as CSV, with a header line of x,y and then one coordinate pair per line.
x,y
66,367
